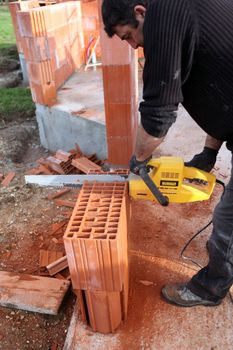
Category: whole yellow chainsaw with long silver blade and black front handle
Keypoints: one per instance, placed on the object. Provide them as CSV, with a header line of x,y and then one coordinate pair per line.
x,y
164,180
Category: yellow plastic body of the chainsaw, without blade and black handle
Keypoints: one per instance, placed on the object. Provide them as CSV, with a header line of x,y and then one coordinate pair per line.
x,y
180,184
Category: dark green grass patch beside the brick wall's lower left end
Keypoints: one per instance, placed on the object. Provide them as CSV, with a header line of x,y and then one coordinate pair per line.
x,y
16,103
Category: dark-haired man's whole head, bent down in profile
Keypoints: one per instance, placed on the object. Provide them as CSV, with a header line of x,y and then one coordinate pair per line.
x,y
125,18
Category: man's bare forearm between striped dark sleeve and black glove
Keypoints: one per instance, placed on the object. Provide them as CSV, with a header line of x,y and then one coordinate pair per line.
x,y
145,144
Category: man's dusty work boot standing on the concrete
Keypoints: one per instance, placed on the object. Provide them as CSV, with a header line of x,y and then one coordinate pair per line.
x,y
179,294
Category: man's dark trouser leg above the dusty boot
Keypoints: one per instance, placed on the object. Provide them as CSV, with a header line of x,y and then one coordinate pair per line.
x,y
213,281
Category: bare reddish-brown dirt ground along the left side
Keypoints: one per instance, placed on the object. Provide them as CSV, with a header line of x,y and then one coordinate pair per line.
x,y
26,216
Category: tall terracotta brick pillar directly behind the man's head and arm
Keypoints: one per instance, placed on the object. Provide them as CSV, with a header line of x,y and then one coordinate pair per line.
x,y
119,62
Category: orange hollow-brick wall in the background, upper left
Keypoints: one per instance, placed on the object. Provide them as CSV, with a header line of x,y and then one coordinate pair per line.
x,y
53,46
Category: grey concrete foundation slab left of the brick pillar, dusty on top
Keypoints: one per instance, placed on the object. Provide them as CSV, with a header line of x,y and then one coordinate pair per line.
x,y
77,117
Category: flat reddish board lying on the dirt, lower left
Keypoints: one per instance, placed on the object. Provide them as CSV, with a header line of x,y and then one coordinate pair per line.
x,y
32,293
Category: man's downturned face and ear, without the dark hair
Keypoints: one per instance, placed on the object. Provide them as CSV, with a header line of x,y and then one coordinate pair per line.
x,y
134,36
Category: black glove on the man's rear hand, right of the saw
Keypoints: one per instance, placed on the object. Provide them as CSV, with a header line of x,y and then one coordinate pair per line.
x,y
204,160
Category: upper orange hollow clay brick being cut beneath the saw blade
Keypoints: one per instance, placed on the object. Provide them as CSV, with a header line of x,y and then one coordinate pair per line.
x,y
96,237
